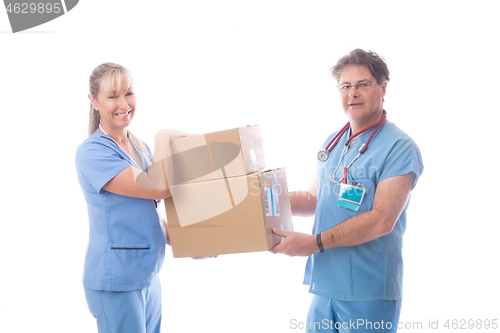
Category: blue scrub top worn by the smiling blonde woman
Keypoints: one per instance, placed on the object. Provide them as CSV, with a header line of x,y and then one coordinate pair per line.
x,y
126,235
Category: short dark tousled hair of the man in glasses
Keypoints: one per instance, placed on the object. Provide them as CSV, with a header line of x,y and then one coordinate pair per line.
x,y
375,64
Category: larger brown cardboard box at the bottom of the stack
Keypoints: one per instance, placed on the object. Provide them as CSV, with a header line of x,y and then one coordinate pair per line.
x,y
230,215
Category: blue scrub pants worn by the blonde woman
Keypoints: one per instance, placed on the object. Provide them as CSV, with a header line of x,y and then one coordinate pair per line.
x,y
136,311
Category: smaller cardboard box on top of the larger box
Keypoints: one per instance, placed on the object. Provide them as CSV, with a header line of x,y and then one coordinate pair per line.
x,y
230,153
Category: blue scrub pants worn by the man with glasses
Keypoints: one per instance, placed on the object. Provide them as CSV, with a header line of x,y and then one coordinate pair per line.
x,y
331,315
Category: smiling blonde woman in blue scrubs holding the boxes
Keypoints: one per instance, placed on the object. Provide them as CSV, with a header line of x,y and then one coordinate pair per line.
x,y
122,184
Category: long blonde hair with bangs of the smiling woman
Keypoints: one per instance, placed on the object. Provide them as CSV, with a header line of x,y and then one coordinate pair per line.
x,y
109,73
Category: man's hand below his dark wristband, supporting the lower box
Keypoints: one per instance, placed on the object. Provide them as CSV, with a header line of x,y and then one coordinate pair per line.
x,y
295,243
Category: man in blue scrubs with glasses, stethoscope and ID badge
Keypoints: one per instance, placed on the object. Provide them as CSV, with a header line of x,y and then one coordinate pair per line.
x,y
355,265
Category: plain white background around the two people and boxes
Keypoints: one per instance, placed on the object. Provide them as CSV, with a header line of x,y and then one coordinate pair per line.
x,y
204,66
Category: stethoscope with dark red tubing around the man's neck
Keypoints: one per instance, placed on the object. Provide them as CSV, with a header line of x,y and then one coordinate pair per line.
x,y
323,154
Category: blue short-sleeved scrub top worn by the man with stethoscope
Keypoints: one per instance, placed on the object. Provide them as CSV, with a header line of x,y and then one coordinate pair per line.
x,y
373,270
